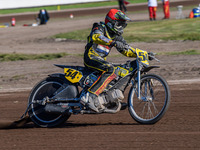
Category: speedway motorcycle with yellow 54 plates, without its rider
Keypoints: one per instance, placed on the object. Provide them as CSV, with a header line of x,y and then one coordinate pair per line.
x,y
54,99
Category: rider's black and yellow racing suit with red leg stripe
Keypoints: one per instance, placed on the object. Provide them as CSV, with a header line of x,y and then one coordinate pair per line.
x,y
100,42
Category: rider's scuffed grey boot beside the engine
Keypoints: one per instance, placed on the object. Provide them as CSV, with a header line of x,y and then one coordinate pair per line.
x,y
89,99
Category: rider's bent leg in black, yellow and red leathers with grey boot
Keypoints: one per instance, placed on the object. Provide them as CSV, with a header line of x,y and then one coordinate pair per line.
x,y
95,62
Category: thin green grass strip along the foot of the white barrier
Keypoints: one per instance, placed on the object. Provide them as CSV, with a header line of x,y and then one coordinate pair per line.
x,y
70,6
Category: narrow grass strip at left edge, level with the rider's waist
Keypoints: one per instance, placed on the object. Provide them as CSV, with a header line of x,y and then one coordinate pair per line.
x,y
16,57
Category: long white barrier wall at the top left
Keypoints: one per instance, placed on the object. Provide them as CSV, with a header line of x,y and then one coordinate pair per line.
x,y
9,4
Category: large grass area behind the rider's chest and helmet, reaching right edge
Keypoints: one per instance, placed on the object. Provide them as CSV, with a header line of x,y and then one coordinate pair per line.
x,y
184,29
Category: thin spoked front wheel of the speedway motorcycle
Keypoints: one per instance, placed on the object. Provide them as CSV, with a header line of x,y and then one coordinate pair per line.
x,y
154,101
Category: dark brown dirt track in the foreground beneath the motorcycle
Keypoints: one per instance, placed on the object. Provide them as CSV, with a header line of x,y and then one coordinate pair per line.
x,y
178,129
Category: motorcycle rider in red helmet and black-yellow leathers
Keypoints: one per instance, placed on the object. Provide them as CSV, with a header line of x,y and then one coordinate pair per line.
x,y
103,36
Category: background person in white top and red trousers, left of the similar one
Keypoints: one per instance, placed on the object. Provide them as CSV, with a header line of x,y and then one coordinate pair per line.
x,y
152,6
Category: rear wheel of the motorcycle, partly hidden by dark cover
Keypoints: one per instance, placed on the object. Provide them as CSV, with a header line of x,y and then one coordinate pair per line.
x,y
37,113
